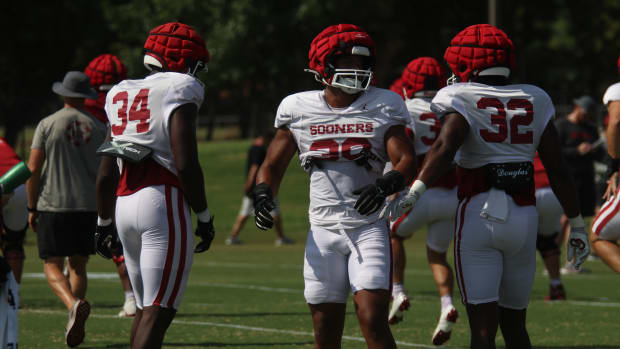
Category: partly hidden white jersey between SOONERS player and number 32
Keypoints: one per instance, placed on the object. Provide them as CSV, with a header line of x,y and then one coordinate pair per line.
x,y
424,123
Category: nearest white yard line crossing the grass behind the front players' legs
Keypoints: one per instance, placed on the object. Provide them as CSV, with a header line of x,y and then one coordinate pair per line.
x,y
240,327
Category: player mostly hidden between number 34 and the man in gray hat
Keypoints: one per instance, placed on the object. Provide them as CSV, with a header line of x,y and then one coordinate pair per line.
x,y
105,71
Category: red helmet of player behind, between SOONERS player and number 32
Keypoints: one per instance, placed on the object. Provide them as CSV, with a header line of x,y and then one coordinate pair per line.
x,y
422,77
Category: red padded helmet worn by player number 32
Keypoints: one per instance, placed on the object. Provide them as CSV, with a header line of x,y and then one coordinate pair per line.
x,y
479,47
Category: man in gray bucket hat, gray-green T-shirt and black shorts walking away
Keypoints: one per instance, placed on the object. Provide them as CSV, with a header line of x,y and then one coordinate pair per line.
x,y
62,205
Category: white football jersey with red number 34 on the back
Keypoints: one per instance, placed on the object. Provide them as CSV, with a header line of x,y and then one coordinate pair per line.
x,y
139,110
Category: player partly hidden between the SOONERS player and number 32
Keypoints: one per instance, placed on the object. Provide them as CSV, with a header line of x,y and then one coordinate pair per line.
x,y
420,81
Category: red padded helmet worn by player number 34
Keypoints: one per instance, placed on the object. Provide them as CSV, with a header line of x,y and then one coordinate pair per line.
x,y
175,47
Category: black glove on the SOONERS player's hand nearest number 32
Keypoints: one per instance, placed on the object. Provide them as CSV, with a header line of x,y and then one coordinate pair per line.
x,y
372,196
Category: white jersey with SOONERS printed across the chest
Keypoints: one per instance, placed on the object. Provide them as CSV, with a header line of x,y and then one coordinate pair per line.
x,y
338,136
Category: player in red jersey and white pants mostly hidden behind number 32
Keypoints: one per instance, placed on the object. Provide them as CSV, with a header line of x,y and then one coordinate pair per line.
x,y
549,227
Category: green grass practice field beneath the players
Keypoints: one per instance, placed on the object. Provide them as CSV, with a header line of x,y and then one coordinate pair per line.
x,y
251,296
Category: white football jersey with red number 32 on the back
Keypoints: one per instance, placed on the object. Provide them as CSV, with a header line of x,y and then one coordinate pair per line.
x,y
505,122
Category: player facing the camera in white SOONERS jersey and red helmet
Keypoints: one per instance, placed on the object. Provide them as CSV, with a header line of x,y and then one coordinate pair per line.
x,y
345,134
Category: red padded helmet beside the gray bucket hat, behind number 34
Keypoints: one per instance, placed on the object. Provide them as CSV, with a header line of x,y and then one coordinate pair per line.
x,y
105,71
